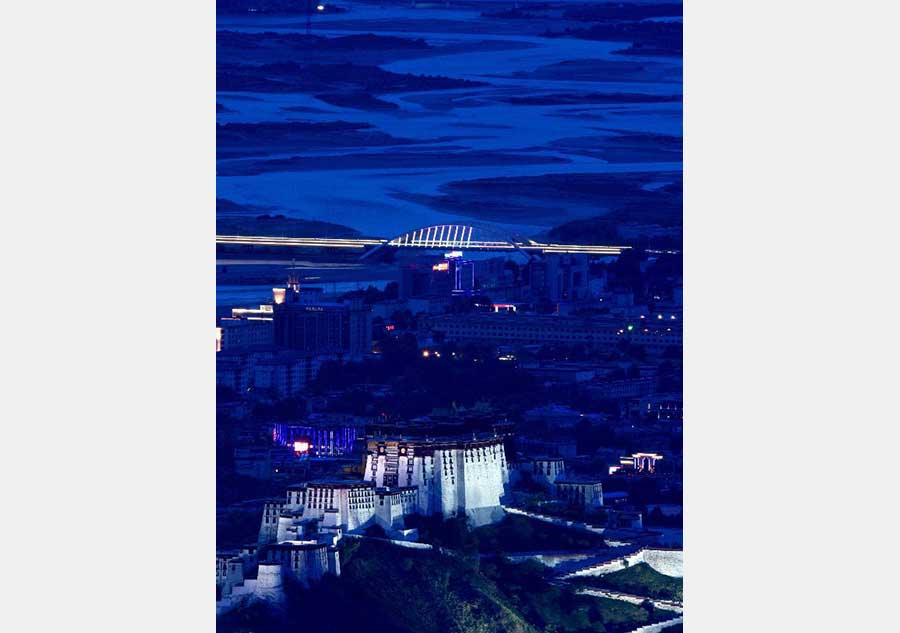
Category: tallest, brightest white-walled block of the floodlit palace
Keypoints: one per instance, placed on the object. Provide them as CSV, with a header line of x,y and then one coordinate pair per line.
x,y
450,476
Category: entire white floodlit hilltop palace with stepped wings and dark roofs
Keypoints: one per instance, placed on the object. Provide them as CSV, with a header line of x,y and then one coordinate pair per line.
x,y
298,534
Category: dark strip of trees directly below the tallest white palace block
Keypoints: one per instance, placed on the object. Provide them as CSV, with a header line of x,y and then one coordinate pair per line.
x,y
512,534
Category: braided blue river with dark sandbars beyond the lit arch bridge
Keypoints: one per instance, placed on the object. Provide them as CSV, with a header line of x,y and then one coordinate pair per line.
x,y
376,200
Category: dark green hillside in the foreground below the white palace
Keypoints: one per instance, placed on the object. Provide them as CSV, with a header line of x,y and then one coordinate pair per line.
x,y
418,591
